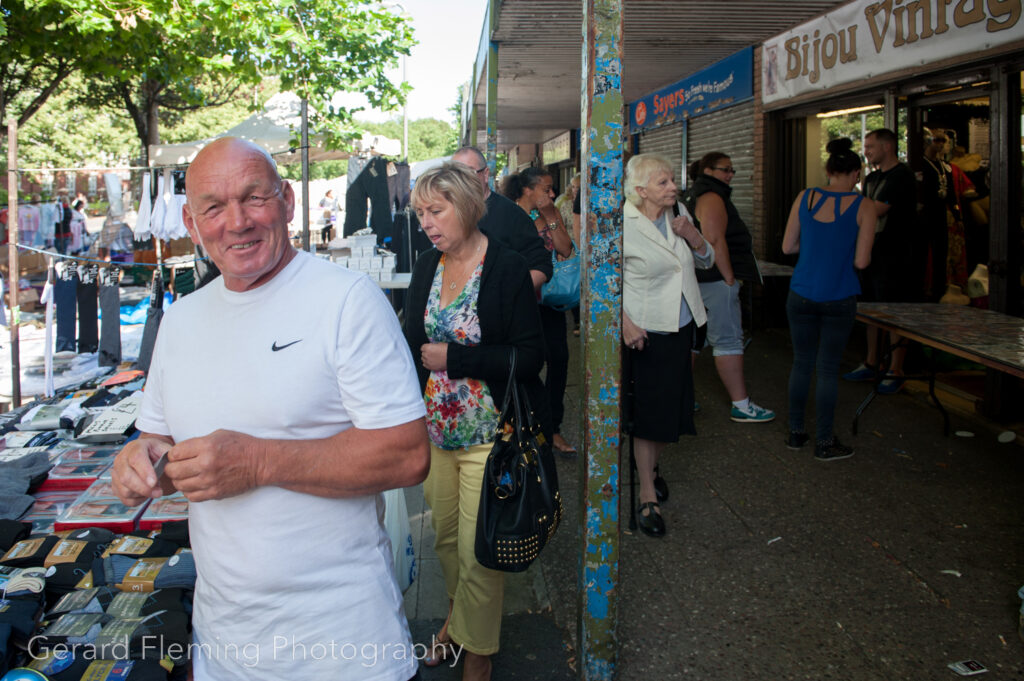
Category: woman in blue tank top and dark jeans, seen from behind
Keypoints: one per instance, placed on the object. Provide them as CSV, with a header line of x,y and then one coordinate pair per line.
x,y
833,230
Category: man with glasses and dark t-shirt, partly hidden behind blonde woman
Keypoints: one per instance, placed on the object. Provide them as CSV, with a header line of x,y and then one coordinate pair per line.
x,y
507,223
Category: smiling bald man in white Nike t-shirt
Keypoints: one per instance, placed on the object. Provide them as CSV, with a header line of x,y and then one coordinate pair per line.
x,y
285,399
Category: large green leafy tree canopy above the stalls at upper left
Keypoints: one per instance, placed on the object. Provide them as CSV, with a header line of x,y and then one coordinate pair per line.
x,y
180,57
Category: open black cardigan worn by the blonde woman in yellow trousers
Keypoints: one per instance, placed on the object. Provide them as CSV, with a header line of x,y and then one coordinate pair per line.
x,y
509,318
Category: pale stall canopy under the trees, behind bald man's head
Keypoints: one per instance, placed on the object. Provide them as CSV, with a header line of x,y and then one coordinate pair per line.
x,y
272,130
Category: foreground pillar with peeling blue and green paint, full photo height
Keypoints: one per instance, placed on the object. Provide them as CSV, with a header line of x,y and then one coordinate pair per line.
x,y
602,154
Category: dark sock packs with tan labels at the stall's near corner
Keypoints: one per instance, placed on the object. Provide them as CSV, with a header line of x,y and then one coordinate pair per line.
x,y
117,607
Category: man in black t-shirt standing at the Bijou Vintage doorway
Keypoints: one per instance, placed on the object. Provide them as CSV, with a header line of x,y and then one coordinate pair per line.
x,y
898,259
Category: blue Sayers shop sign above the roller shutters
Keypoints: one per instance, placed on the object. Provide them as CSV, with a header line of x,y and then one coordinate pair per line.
x,y
727,83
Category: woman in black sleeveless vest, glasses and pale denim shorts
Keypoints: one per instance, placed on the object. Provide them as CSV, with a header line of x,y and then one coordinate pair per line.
x,y
710,200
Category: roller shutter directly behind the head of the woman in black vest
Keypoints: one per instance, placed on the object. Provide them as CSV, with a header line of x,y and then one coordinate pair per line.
x,y
730,132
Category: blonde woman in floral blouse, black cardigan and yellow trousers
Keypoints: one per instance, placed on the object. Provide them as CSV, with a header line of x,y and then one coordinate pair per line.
x,y
470,304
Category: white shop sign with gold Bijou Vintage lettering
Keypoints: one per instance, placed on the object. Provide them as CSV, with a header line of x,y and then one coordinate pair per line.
x,y
866,39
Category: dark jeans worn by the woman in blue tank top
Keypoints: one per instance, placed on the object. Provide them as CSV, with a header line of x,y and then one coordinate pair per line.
x,y
820,332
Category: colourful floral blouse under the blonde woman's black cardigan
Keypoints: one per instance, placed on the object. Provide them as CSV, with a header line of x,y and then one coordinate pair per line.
x,y
460,412
